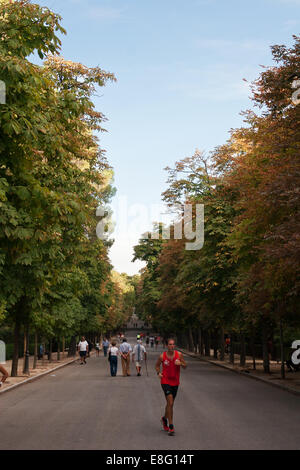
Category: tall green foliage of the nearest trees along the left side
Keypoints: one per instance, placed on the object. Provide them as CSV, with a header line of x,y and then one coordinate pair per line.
x,y
53,176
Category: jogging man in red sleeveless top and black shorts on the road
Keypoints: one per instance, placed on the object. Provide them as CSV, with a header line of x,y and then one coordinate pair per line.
x,y
171,361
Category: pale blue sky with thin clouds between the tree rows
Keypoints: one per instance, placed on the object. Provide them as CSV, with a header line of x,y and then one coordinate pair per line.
x,y
180,67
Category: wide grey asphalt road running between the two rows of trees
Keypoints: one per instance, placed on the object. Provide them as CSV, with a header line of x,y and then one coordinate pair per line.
x,y
82,407
